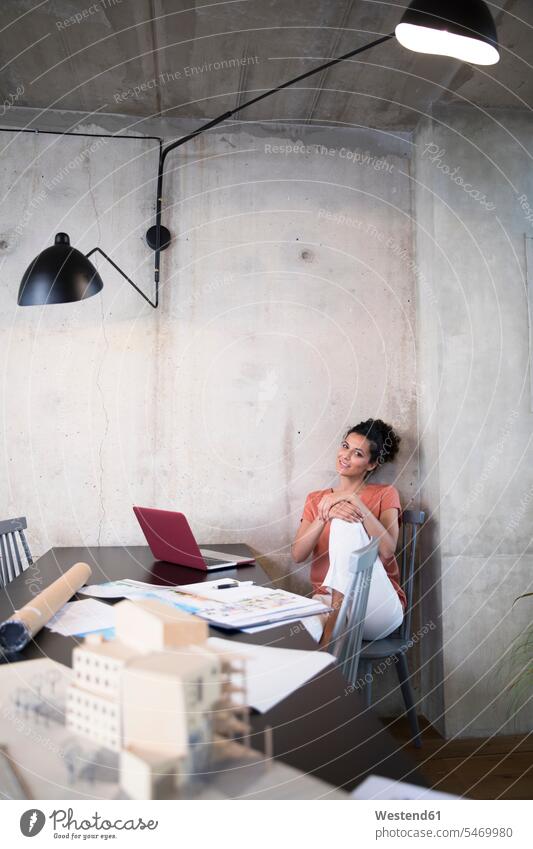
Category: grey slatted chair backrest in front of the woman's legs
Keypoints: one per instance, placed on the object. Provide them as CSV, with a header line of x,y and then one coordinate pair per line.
x,y
347,634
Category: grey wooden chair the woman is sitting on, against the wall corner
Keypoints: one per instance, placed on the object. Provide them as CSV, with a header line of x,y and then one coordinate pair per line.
x,y
399,642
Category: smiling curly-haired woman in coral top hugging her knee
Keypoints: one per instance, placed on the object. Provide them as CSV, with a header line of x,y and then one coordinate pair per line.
x,y
364,448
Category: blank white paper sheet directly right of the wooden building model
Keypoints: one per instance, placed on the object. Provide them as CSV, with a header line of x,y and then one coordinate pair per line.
x,y
273,674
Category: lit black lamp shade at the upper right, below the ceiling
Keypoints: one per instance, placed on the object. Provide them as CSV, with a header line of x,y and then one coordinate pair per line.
x,y
463,30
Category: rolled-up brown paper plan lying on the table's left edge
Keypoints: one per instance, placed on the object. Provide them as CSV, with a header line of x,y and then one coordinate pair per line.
x,y
17,631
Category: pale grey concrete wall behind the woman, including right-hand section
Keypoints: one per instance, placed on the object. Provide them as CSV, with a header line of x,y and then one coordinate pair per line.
x,y
287,312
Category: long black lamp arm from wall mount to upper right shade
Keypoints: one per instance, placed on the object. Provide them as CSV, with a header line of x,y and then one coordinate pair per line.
x,y
213,123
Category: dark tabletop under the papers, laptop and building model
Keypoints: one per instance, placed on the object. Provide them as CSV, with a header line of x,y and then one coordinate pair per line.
x,y
322,729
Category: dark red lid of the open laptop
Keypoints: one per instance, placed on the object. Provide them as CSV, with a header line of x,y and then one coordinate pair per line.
x,y
170,537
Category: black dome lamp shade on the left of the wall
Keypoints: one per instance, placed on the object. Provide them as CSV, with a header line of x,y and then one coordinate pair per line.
x,y
59,275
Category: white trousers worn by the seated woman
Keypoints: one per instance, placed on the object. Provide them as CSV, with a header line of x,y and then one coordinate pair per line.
x,y
384,611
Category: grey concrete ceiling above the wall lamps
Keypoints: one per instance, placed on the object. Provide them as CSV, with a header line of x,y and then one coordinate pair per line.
x,y
180,58
